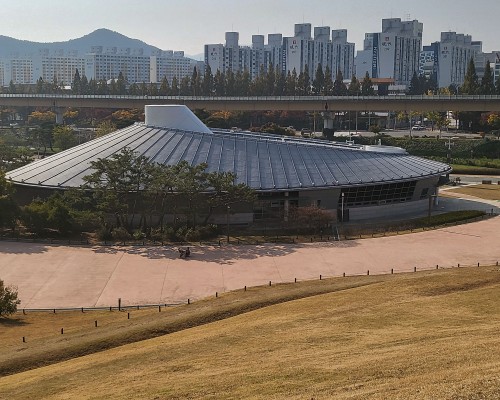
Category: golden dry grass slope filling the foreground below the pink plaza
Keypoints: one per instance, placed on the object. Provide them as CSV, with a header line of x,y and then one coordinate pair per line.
x,y
428,335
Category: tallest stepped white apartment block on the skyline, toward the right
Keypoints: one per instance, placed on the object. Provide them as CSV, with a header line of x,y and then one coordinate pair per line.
x,y
393,53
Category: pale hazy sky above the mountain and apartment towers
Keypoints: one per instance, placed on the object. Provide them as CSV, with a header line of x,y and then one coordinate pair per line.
x,y
189,24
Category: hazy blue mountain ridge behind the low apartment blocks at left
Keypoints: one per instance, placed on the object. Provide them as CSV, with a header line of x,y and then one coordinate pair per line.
x,y
101,37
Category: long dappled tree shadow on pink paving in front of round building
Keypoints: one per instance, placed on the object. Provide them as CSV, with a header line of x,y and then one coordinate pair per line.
x,y
225,254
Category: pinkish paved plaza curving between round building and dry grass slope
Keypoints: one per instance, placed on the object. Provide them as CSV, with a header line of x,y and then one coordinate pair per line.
x,y
50,276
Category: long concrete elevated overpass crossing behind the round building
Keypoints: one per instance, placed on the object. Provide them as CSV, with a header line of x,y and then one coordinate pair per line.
x,y
261,103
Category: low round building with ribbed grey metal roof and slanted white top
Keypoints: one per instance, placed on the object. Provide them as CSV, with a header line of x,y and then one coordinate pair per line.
x,y
359,182
